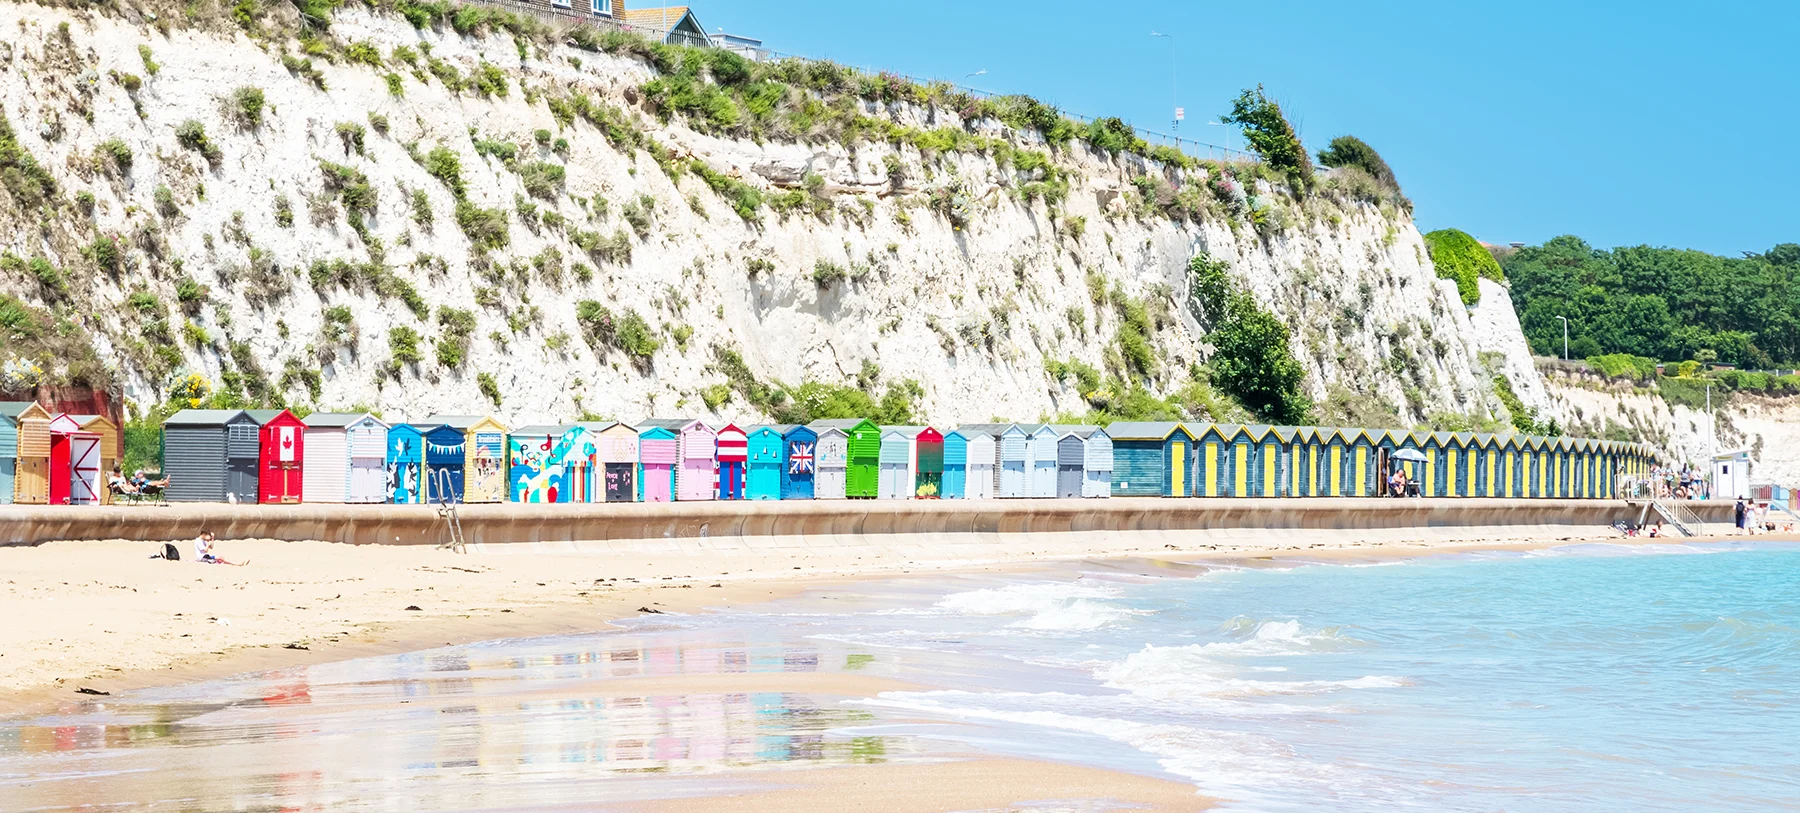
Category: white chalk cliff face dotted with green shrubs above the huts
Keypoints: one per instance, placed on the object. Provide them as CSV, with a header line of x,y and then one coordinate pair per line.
x,y
955,272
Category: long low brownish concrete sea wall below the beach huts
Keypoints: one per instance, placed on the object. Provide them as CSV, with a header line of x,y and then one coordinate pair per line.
x,y
836,523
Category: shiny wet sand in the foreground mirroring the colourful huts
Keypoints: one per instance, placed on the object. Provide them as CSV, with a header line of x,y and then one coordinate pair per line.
x,y
490,726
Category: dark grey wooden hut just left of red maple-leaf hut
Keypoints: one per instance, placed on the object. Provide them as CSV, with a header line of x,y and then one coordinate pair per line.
x,y
211,456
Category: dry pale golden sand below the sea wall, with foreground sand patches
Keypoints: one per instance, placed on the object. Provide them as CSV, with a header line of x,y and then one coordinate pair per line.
x,y
109,618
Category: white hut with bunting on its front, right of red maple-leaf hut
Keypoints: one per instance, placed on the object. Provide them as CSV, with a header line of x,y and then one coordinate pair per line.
x,y
345,458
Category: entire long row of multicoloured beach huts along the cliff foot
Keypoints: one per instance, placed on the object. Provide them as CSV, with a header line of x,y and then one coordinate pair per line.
x,y
330,458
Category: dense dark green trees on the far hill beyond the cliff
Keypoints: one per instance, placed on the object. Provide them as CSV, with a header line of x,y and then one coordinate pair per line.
x,y
1660,303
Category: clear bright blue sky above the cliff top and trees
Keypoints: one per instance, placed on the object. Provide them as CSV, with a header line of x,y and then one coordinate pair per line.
x,y
1516,121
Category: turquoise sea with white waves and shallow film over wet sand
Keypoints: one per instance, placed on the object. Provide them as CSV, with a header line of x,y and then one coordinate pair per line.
x,y
1572,679
